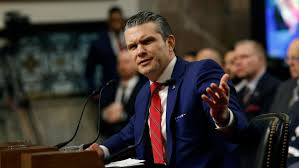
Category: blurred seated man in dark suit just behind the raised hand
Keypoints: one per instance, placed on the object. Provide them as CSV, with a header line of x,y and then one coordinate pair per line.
x,y
259,87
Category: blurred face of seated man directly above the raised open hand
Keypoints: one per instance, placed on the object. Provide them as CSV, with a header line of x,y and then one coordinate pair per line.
x,y
247,62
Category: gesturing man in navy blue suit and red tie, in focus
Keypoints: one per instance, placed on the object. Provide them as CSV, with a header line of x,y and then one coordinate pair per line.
x,y
199,115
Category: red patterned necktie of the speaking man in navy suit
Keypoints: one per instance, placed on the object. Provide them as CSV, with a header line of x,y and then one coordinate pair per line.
x,y
155,126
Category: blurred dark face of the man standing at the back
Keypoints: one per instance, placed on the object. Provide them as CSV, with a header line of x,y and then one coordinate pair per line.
x,y
116,21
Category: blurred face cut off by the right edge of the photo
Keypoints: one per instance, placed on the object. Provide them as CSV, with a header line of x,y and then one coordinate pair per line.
x,y
293,59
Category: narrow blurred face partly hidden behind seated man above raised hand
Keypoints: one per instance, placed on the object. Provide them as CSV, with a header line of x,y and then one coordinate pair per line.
x,y
229,63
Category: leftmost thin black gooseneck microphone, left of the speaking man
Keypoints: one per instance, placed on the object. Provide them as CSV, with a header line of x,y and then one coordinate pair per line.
x,y
95,92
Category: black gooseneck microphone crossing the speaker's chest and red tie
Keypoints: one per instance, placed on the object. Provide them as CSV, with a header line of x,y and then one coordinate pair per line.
x,y
112,157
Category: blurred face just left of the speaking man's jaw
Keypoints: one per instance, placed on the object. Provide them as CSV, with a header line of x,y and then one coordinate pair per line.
x,y
126,66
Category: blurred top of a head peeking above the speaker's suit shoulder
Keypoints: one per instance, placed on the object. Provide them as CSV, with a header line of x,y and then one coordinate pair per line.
x,y
209,53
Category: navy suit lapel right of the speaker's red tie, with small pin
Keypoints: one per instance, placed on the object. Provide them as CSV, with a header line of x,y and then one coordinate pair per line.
x,y
177,73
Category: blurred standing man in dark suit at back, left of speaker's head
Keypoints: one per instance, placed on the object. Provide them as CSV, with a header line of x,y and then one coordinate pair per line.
x,y
105,49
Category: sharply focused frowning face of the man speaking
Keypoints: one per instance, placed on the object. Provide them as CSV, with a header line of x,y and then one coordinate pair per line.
x,y
150,52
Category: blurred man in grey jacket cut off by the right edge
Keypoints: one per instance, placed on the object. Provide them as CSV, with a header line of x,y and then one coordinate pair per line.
x,y
286,101
